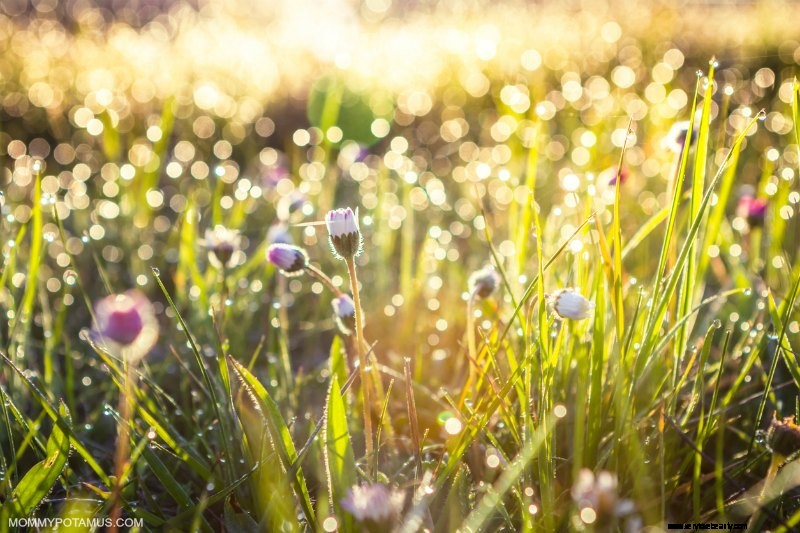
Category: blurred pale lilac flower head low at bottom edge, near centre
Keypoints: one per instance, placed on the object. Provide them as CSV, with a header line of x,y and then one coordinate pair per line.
x,y
376,506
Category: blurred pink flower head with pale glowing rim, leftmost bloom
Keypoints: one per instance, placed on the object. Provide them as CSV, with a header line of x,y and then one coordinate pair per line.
x,y
127,322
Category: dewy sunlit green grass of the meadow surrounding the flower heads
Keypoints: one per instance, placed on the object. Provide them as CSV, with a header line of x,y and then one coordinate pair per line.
x,y
255,412
